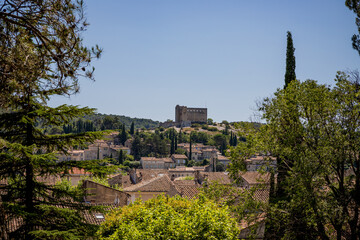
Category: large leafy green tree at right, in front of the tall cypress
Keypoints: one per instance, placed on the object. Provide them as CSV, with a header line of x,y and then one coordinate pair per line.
x,y
316,128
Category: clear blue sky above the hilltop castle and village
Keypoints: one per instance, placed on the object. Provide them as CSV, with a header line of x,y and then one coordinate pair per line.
x,y
221,54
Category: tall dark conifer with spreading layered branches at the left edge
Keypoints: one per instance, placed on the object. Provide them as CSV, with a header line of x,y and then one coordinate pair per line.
x,y
42,55
